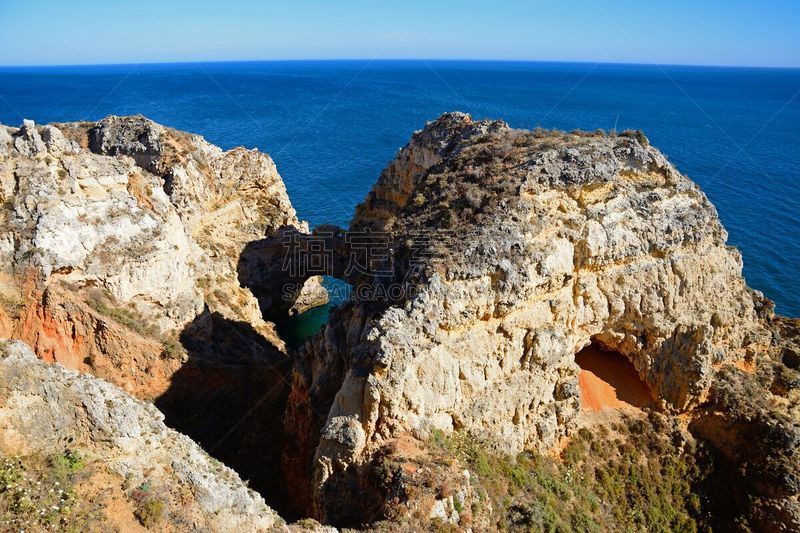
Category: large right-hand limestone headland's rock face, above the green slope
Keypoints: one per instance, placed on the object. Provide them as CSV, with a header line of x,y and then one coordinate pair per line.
x,y
515,250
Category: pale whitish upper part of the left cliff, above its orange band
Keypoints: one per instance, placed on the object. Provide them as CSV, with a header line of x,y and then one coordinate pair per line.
x,y
153,215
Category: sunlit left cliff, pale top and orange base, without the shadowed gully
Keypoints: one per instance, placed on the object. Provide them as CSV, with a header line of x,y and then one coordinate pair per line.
x,y
126,219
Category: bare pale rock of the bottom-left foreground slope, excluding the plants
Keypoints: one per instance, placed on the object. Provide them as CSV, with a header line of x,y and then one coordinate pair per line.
x,y
43,406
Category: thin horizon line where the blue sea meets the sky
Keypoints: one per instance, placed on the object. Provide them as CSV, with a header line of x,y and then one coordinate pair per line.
x,y
387,60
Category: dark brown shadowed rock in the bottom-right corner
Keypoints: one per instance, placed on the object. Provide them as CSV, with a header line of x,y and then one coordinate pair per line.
x,y
756,479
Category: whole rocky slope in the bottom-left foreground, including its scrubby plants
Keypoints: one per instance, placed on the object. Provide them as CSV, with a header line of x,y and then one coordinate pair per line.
x,y
125,455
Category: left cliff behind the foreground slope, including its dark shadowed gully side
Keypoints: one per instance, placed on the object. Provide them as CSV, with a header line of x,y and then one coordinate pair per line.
x,y
119,251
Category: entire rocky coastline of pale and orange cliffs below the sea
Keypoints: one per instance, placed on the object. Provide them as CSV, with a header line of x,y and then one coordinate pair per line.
x,y
146,270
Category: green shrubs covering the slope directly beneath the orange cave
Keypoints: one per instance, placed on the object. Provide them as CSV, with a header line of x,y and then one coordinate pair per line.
x,y
598,484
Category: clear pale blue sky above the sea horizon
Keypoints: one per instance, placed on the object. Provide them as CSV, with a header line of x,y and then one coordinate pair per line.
x,y
709,32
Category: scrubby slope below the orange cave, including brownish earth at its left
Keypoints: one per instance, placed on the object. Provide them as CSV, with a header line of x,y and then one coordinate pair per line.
x,y
640,473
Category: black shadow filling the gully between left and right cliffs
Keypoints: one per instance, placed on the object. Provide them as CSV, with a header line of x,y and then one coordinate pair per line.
x,y
230,397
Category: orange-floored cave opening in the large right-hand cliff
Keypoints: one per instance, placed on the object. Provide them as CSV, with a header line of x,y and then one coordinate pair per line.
x,y
608,380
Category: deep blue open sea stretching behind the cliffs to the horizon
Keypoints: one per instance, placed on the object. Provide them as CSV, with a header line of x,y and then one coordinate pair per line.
x,y
332,126
